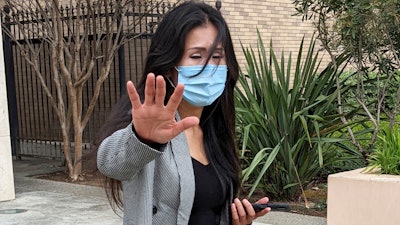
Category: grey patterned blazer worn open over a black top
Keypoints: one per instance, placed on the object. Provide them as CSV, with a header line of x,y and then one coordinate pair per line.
x,y
158,185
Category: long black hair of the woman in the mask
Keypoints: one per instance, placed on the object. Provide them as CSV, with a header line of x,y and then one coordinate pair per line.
x,y
217,120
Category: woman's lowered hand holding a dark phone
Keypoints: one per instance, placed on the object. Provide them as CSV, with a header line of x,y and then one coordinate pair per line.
x,y
243,212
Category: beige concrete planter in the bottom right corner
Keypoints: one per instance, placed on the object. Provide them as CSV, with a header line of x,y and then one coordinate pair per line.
x,y
355,198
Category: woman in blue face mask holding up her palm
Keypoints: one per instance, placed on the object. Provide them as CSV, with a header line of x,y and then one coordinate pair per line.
x,y
171,141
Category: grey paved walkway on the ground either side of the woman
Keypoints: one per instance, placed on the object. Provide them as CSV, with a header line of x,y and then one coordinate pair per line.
x,y
45,202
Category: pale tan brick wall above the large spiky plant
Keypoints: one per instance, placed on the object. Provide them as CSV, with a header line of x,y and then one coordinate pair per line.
x,y
275,21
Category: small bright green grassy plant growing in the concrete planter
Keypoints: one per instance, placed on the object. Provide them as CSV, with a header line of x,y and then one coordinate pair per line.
x,y
385,158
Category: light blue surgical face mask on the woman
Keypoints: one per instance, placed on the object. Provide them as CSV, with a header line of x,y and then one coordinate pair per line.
x,y
202,89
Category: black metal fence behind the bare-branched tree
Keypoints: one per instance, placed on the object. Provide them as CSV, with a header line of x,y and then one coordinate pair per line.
x,y
35,130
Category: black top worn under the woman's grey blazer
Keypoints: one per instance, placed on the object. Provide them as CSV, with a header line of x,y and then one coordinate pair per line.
x,y
208,198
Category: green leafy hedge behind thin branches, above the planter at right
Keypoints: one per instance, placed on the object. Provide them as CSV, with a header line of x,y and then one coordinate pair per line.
x,y
373,86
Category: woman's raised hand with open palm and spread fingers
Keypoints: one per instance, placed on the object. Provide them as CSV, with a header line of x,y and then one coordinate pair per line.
x,y
153,121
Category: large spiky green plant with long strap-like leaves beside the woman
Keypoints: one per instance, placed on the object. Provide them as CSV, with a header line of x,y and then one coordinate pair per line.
x,y
286,120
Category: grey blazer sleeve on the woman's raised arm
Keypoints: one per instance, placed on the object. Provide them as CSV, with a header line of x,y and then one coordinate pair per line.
x,y
122,154
